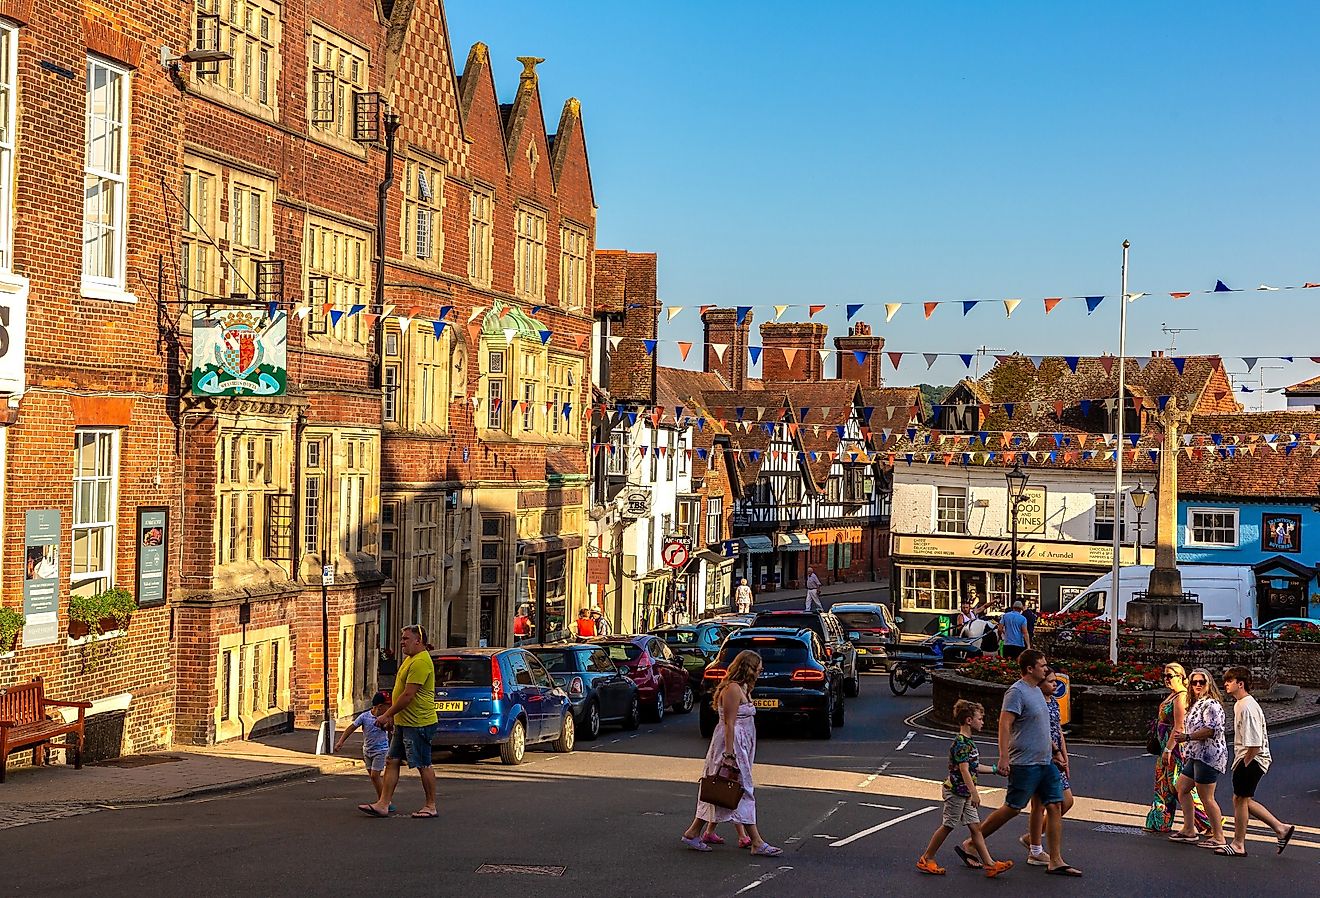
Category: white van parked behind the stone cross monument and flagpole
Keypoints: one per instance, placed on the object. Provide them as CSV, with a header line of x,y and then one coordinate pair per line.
x,y
1227,591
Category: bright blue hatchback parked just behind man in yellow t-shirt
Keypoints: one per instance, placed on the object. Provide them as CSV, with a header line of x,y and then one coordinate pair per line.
x,y
502,699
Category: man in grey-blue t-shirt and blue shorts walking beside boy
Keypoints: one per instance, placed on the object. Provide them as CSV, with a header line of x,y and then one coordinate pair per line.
x,y
1026,760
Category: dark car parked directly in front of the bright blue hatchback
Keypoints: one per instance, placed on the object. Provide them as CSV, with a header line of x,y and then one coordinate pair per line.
x,y
600,691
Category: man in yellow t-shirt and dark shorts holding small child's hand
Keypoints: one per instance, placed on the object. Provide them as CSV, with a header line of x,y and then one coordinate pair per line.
x,y
415,722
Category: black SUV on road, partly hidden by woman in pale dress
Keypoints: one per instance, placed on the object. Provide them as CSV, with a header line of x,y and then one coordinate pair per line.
x,y
797,679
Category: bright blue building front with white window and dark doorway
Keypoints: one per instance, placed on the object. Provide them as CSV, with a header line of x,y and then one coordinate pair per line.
x,y
1281,541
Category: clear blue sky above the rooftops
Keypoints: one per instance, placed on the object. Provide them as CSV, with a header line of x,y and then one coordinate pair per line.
x,y
868,153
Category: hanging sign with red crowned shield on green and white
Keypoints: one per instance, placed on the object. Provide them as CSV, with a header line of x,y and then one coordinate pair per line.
x,y
240,353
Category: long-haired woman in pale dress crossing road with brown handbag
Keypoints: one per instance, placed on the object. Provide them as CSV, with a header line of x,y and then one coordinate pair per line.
x,y
733,745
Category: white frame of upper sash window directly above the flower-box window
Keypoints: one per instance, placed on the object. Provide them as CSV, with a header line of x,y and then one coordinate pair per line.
x,y
108,286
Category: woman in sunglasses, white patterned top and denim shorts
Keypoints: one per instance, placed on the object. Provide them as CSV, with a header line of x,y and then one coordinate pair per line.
x,y
1206,759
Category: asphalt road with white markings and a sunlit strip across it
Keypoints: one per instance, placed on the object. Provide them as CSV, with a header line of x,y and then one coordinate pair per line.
x,y
852,815
